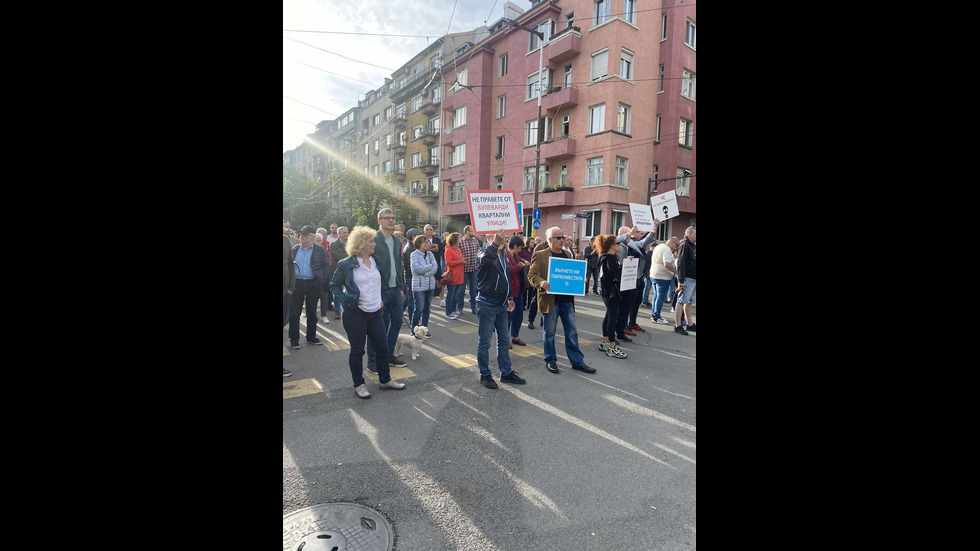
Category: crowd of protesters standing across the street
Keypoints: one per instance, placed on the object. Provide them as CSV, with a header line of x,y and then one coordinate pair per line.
x,y
376,281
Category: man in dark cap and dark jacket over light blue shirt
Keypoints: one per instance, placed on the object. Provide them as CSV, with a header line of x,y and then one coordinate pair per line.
x,y
312,266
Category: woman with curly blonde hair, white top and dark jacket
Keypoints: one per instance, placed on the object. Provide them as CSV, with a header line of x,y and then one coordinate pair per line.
x,y
359,284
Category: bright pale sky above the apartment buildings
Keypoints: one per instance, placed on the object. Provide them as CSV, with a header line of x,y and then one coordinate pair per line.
x,y
325,74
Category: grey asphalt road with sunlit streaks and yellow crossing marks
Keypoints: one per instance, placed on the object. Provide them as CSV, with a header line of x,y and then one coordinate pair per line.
x,y
568,461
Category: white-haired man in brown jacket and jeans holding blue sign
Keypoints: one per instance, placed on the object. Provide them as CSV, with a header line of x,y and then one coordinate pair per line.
x,y
553,306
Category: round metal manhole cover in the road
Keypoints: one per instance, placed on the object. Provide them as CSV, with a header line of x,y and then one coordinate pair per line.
x,y
336,527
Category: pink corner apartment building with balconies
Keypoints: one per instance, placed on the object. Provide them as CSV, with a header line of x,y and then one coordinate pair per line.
x,y
600,111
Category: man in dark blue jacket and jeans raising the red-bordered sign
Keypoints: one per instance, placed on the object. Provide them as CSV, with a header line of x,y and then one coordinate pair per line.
x,y
495,300
